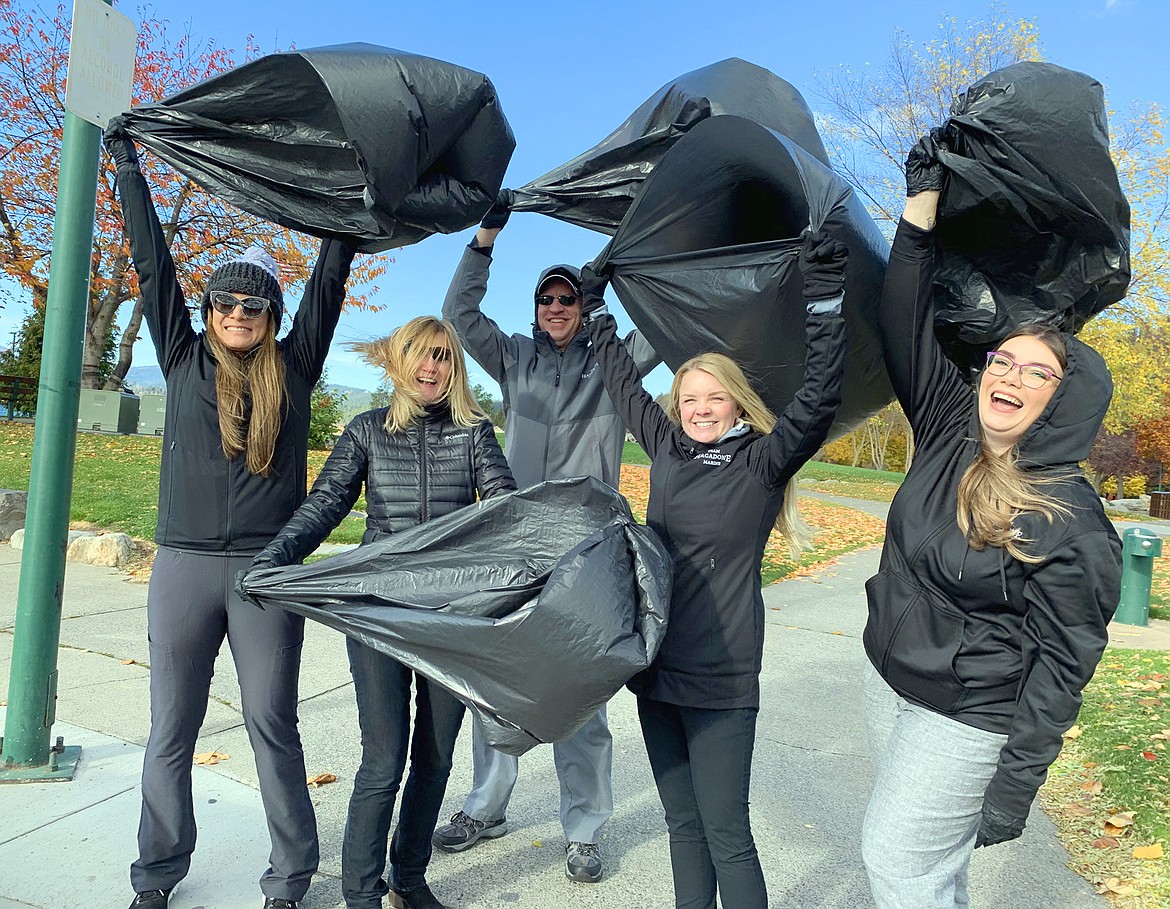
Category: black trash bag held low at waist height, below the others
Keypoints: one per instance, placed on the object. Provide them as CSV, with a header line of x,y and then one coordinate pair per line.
x,y
533,609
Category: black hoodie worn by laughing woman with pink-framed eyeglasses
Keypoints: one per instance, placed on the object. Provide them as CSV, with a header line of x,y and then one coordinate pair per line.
x,y
978,636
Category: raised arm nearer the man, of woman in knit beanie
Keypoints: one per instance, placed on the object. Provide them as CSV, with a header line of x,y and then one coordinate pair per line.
x,y
321,306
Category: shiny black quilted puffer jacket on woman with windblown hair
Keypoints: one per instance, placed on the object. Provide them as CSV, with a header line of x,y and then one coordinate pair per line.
x,y
422,473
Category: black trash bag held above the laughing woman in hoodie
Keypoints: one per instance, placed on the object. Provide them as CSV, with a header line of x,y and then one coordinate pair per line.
x,y
1034,225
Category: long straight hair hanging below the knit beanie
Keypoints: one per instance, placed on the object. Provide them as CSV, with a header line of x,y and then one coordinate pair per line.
x,y
259,375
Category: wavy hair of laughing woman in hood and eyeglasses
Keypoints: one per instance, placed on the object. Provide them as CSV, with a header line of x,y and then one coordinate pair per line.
x,y
994,491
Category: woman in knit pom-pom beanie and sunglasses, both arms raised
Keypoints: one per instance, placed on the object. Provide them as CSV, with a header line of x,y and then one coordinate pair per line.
x,y
233,472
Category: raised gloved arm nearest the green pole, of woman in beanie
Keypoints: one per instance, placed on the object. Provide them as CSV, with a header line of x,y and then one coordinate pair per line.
x,y
164,307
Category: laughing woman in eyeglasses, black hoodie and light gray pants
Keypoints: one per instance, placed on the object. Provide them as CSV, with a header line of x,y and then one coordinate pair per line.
x,y
999,577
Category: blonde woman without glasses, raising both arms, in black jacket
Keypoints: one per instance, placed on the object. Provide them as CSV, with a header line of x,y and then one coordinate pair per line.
x,y
721,479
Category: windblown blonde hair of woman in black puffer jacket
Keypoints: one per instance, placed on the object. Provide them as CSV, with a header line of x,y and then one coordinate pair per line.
x,y
401,355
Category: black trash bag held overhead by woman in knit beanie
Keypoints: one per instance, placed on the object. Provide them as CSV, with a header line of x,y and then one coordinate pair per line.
x,y
353,141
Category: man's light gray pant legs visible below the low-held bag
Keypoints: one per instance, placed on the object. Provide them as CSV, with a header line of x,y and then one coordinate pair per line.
x,y
584,768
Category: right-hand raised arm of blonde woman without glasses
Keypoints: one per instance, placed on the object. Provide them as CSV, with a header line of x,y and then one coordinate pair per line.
x,y
806,423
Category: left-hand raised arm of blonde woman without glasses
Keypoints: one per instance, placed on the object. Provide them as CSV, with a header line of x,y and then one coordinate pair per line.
x,y
620,373
